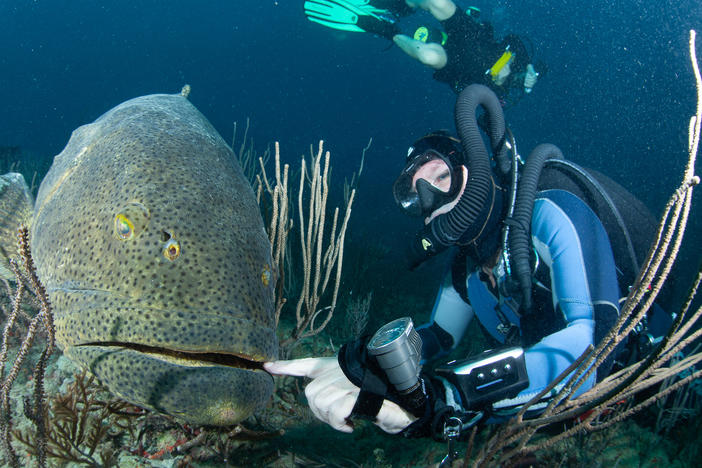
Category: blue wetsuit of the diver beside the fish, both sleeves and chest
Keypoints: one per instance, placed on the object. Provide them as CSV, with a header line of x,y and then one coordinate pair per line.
x,y
570,240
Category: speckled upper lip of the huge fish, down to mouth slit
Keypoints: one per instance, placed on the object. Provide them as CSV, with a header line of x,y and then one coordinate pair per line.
x,y
186,337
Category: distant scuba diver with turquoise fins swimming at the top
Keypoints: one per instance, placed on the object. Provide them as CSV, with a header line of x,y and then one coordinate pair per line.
x,y
463,52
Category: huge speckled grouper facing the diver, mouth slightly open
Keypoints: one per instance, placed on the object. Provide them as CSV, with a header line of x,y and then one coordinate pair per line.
x,y
149,241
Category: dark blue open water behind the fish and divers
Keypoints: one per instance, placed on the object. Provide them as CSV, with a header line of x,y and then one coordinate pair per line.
x,y
617,95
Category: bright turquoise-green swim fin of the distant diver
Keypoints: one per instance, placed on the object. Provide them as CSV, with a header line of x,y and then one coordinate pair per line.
x,y
345,14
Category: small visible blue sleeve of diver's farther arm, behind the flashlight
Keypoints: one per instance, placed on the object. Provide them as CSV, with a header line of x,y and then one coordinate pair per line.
x,y
449,320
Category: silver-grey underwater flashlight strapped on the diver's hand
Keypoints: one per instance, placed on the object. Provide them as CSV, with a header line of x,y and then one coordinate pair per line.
x,y
398,349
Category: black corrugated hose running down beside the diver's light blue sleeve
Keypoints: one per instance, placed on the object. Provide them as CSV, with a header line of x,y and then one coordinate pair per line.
x,y
520,222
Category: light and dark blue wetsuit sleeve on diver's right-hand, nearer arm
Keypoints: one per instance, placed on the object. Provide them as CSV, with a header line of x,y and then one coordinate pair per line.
x,y
572,242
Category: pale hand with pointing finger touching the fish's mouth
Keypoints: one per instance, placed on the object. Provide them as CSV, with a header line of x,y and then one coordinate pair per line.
x,y
331,395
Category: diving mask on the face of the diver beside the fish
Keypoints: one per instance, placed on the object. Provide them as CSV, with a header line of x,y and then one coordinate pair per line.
x,y
428,181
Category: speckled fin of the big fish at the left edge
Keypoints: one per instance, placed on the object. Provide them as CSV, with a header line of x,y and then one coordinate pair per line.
x,y
16,206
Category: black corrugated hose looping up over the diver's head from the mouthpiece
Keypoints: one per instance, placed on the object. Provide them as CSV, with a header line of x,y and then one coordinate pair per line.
x,y
464,216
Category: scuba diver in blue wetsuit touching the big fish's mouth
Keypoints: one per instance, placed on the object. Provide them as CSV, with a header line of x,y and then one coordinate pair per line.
x,y
542,254
